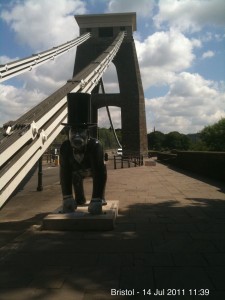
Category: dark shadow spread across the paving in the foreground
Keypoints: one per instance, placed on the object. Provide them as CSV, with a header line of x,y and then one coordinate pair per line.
x,y
154,246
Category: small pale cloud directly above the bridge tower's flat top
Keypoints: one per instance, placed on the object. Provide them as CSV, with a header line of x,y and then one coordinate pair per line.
x,y
142,8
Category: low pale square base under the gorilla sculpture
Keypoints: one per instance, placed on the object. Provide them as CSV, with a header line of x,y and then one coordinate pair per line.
x,y
81,219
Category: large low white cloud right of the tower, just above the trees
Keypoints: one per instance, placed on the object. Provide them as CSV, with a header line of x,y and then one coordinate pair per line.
x,y
191,103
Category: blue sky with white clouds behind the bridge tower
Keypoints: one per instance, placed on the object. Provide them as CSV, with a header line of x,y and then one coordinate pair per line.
x,y
180,46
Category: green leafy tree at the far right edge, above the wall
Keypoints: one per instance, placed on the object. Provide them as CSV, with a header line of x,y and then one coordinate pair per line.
x,y
214,136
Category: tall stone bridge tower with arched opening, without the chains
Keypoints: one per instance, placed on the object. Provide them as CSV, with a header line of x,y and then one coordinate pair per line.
x,y
104,28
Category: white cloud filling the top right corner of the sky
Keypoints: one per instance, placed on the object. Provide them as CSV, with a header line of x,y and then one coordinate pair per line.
x,y
190,15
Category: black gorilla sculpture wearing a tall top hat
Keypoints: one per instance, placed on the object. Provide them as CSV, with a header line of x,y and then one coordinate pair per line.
x,y
81,156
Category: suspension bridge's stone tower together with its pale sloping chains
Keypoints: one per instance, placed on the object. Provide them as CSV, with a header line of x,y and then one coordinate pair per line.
x,y
104,39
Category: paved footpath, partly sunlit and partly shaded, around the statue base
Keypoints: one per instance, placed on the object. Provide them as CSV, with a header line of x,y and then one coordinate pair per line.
x,y
169,240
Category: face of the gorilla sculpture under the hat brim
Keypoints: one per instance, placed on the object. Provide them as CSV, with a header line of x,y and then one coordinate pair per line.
x,y
78,138
